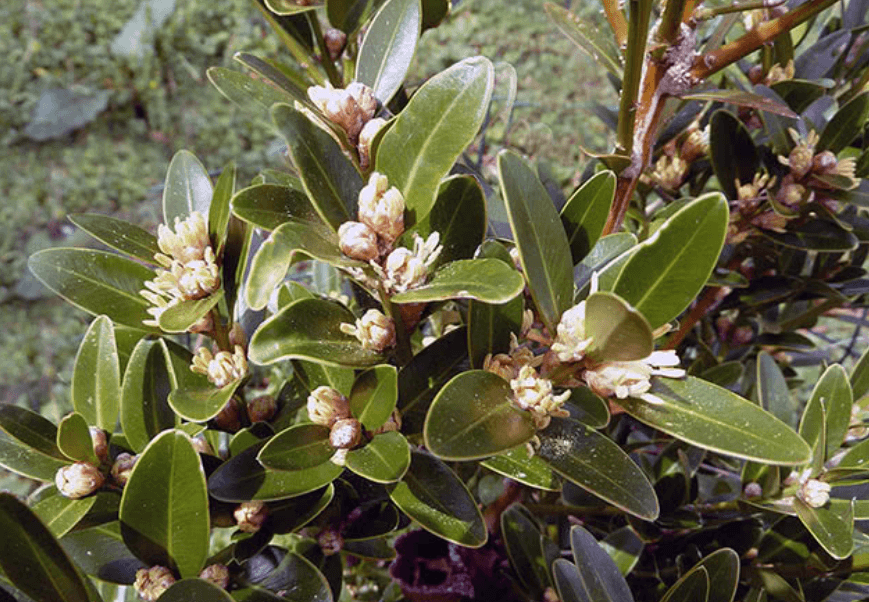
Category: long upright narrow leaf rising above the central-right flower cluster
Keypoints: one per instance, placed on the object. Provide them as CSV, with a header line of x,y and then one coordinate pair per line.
x,y
540,238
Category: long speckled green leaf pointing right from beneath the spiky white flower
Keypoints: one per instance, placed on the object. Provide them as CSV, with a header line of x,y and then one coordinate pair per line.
x,y
714,418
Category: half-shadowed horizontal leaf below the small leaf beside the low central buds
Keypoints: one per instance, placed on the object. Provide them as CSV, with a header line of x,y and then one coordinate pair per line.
x,y
243,478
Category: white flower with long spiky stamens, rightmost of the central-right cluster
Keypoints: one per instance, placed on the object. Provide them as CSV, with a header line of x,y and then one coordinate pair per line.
x,y
631,379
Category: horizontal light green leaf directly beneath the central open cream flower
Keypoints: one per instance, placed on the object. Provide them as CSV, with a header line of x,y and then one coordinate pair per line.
x,y
488,280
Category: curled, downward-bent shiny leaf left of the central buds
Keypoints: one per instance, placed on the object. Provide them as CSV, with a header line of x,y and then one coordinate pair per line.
x,y
275,255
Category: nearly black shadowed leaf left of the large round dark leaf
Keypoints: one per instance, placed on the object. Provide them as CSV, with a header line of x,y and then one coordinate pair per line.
x,y
428,371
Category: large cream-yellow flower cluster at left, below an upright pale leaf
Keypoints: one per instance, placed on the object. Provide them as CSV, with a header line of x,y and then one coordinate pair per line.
x,y
189,268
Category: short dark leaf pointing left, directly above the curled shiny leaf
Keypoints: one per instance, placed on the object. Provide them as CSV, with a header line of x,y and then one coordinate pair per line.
x,y
267,206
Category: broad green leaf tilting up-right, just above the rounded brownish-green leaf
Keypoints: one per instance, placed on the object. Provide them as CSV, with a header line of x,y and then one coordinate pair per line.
x,y
669,269
